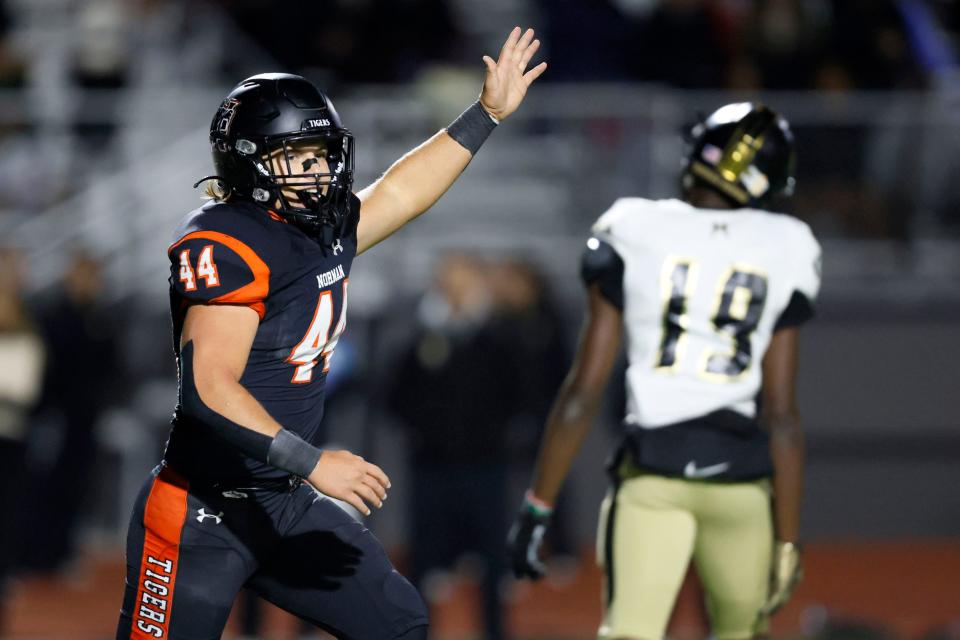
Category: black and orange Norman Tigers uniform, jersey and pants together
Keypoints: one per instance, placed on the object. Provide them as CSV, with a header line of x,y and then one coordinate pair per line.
x,y
212,519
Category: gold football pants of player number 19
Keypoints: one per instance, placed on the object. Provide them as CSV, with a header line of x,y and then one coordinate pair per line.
x,y
650,528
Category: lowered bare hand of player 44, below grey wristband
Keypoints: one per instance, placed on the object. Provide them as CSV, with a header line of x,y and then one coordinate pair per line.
x,y
348,477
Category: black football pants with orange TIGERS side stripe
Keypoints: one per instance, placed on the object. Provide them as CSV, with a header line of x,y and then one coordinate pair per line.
x,y
190,552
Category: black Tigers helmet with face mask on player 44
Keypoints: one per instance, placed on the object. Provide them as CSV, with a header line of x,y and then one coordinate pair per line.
x,y
266,123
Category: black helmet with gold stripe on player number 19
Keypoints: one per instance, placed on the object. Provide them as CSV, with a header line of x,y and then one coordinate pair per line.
x,y
744,151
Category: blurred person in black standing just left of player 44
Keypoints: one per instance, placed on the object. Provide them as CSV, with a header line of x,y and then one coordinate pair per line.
x,y
79,384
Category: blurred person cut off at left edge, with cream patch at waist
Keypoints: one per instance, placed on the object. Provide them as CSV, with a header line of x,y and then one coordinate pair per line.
x,y
22,354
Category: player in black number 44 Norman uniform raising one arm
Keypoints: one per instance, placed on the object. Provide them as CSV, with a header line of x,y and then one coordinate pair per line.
x,y
258,296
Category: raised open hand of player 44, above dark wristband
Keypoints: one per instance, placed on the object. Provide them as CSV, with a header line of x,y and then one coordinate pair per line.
x,y
507,78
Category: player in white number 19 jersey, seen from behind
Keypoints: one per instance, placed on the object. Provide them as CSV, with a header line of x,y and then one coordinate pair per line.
x,y
708,293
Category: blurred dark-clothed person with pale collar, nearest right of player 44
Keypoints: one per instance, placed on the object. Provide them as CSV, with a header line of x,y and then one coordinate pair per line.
x,y
455,391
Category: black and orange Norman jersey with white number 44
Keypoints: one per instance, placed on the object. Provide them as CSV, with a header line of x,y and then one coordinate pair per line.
x,y
240,254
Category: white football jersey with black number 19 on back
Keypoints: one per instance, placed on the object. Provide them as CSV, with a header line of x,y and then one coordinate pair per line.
x,y
703,290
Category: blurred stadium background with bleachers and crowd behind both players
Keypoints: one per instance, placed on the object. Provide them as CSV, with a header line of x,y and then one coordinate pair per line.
x,y
462,326
